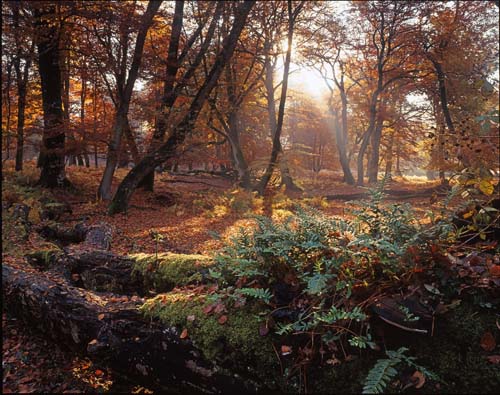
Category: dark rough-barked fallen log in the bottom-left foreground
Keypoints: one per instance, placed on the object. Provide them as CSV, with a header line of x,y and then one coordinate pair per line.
x,y
111,330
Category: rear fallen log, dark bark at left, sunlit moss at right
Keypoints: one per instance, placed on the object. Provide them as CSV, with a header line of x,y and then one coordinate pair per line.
x,y
99,270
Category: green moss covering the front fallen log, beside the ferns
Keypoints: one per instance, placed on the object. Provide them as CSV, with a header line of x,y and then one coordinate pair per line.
x,y
236,343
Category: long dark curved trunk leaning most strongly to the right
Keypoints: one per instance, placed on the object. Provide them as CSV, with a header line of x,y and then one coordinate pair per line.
x,y
168,149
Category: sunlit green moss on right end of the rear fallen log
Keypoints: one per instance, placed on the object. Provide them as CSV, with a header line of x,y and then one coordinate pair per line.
x,y
169,270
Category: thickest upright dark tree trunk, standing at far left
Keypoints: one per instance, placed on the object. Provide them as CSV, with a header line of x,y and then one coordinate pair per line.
x,y
52,154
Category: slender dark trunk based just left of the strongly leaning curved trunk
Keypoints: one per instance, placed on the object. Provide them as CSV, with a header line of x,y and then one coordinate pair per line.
x,y
122,111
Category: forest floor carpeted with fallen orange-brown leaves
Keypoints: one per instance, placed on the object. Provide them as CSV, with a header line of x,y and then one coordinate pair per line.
x,y
183,209
